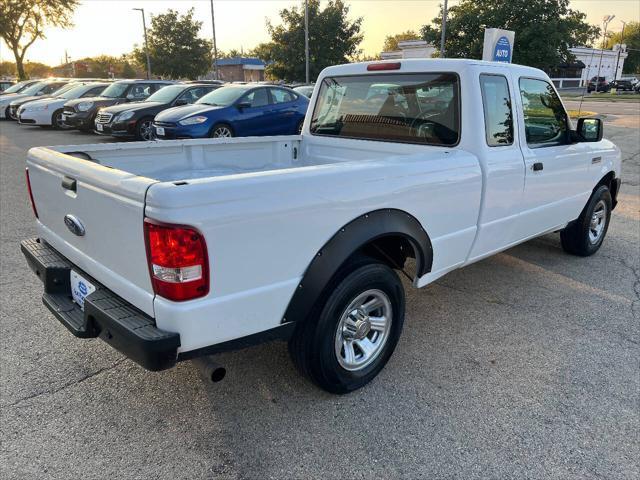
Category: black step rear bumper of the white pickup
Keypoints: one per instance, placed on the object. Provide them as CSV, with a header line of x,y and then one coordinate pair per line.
x,y
105,314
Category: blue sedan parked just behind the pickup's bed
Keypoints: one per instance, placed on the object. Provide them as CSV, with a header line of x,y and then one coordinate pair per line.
x,y
235,111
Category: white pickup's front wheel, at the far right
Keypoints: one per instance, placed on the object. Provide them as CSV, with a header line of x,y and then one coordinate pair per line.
x,y
578,237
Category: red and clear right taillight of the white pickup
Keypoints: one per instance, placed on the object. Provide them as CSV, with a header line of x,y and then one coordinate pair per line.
x,y
178,262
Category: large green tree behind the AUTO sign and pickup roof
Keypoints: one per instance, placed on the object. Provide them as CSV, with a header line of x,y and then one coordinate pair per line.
x,y
545,29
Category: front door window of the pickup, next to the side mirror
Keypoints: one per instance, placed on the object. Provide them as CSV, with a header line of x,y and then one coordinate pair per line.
x,y
545,120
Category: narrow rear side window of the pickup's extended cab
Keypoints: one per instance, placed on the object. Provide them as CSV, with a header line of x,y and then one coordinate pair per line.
x,y
496,102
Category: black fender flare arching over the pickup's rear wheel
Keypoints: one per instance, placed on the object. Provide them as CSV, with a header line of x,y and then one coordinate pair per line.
x,y
349,239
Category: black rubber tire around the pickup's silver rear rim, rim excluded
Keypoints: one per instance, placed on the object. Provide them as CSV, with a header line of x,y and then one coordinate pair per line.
x,y
313,344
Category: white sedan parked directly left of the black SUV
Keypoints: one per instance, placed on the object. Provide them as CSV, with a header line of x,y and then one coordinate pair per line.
x,y
48,111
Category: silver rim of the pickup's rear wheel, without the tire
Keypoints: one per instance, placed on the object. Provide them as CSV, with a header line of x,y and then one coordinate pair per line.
x,y
363,330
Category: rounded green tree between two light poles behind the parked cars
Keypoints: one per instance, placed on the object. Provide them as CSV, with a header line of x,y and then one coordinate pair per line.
x,y
175,49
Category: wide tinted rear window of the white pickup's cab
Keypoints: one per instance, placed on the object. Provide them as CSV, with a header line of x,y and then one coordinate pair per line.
x,y
412,108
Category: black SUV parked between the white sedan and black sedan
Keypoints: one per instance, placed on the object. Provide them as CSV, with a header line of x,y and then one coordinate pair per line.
x,y
81,113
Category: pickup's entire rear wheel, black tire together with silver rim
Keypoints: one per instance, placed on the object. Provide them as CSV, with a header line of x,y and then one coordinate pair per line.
x,y
352,334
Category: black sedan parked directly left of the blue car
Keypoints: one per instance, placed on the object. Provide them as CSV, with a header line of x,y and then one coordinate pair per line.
x,y
133,120
